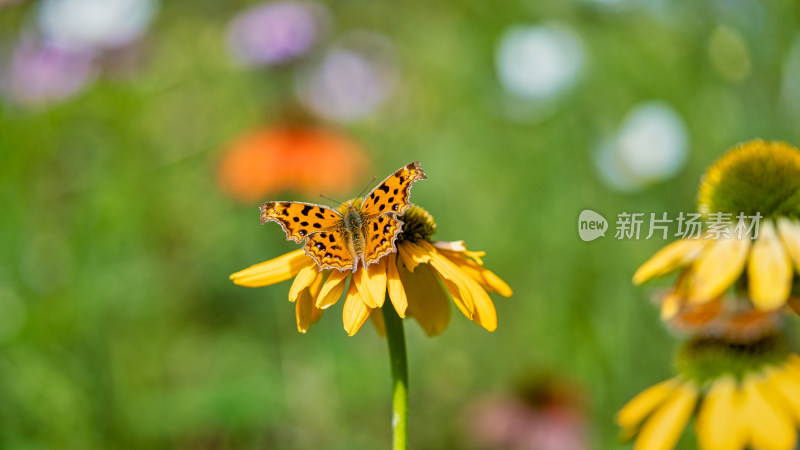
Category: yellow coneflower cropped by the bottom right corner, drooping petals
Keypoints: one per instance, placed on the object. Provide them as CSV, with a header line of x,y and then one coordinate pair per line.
x,y
743,396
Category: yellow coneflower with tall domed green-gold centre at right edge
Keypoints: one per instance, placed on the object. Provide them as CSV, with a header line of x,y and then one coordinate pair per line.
x,y
755,180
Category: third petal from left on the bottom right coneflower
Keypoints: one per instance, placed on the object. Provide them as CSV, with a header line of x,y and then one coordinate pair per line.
x,y
718,422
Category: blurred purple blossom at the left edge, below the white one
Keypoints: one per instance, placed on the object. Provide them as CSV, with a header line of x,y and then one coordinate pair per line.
x,y
41,74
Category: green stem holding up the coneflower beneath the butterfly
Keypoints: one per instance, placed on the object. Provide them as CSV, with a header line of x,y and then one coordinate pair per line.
x,y
395,337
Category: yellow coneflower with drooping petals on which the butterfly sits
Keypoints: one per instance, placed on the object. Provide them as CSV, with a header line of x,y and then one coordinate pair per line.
x,y
413,277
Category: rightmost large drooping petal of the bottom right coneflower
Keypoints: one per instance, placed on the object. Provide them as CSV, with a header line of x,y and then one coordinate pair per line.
x,y
769,424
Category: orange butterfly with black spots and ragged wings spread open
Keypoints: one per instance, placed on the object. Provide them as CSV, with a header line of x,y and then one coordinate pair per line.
x,y
365,232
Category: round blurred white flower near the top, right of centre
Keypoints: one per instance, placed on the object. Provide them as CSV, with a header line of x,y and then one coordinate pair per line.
x,y
539,62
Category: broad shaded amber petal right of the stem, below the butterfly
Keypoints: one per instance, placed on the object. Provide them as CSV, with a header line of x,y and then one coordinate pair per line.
x,y
427,302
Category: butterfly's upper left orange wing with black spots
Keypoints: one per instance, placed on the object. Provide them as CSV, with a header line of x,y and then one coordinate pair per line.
x,y
299,220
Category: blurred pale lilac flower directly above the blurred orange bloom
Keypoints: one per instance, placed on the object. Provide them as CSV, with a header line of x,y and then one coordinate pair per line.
x,y
351,80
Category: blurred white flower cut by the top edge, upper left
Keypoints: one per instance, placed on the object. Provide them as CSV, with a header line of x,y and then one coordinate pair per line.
x,y
95,24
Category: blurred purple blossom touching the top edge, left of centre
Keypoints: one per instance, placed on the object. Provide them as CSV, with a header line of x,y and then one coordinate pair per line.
x,y
275,33
